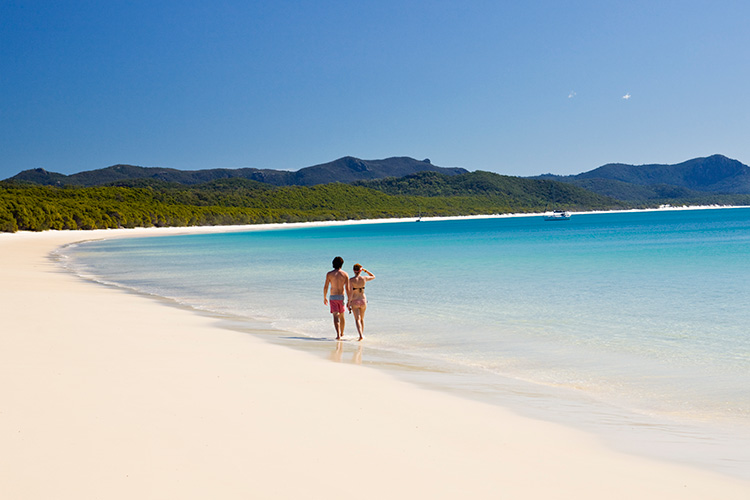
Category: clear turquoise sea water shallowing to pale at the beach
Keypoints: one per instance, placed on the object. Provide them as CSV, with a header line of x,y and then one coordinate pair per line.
x,y
607,320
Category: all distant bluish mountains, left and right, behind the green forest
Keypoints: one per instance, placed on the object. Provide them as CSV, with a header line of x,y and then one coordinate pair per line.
x,y
715,175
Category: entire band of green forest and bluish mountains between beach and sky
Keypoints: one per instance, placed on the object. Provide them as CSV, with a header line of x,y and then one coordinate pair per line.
x,y
36,200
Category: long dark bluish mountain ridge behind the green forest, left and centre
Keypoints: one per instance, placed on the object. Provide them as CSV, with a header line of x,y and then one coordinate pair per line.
x,y
347,169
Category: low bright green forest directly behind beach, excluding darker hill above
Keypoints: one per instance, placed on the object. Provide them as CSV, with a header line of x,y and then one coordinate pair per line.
x,y
39,208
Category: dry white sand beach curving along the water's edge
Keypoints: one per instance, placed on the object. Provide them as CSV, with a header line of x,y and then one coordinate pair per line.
x,y
107,394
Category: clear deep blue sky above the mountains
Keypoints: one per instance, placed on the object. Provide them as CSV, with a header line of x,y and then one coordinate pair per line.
x,y
518,88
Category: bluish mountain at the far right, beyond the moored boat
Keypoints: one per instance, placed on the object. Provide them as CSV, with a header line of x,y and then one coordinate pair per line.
x,y
694,178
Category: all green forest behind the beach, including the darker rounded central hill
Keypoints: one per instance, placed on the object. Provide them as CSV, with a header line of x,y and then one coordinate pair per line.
x,y
150,202
